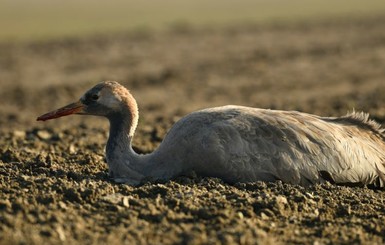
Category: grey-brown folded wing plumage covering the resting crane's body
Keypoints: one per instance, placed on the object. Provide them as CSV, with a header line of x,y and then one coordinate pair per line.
x,y
247,144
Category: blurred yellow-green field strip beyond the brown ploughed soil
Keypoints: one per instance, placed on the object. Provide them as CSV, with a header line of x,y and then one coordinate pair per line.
x,y
24,20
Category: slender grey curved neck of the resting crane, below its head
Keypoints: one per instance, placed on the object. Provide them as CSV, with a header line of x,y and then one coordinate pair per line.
x,y
125,165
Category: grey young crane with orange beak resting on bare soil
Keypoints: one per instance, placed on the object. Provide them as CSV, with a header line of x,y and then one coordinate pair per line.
x,y
238,143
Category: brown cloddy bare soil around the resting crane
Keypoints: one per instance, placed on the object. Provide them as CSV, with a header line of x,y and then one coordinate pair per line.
x,y
53,176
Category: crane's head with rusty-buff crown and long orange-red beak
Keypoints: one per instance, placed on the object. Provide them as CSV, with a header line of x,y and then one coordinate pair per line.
x,y
105,99
